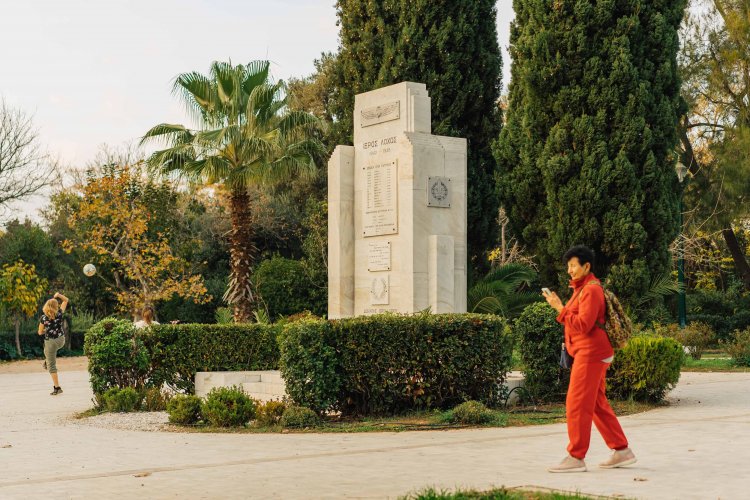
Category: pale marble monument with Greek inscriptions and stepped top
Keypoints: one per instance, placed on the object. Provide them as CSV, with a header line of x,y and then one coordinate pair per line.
x,y
397,210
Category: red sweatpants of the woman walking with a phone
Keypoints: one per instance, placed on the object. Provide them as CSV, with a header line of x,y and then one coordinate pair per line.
x,y
587,401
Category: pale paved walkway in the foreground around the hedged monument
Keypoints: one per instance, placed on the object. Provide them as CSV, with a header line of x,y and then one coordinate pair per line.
x,y
697,448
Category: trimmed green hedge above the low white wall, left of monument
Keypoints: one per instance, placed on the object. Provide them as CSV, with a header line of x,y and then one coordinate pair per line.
x,y
178,352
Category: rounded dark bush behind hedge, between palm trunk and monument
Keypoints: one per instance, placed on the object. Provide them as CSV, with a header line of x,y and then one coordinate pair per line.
x,y
286,288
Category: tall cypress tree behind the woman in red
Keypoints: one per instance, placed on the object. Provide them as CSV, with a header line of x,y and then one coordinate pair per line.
x,y
587,153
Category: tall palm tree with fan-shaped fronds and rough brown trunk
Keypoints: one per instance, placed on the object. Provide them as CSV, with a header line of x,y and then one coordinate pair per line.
x,y
246,137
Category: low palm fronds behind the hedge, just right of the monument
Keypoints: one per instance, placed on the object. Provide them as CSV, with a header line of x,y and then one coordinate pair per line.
x,y
504,291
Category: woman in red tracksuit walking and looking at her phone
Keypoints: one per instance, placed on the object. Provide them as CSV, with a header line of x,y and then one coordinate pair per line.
x,y
587,342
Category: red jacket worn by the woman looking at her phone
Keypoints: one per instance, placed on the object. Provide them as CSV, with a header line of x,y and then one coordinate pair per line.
x,y
584,340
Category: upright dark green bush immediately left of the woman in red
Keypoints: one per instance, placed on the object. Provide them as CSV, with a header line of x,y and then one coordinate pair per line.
x,y
539,337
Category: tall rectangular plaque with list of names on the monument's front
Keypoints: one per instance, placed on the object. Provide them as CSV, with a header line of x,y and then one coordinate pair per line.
x,y
381,189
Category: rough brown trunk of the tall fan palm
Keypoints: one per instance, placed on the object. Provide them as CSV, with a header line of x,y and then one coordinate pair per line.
x,y
239,293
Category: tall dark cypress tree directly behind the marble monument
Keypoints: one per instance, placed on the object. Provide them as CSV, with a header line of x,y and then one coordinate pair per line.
x,y
452,47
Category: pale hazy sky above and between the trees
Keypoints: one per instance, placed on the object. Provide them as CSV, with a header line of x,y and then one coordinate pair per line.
x,y
94,73
